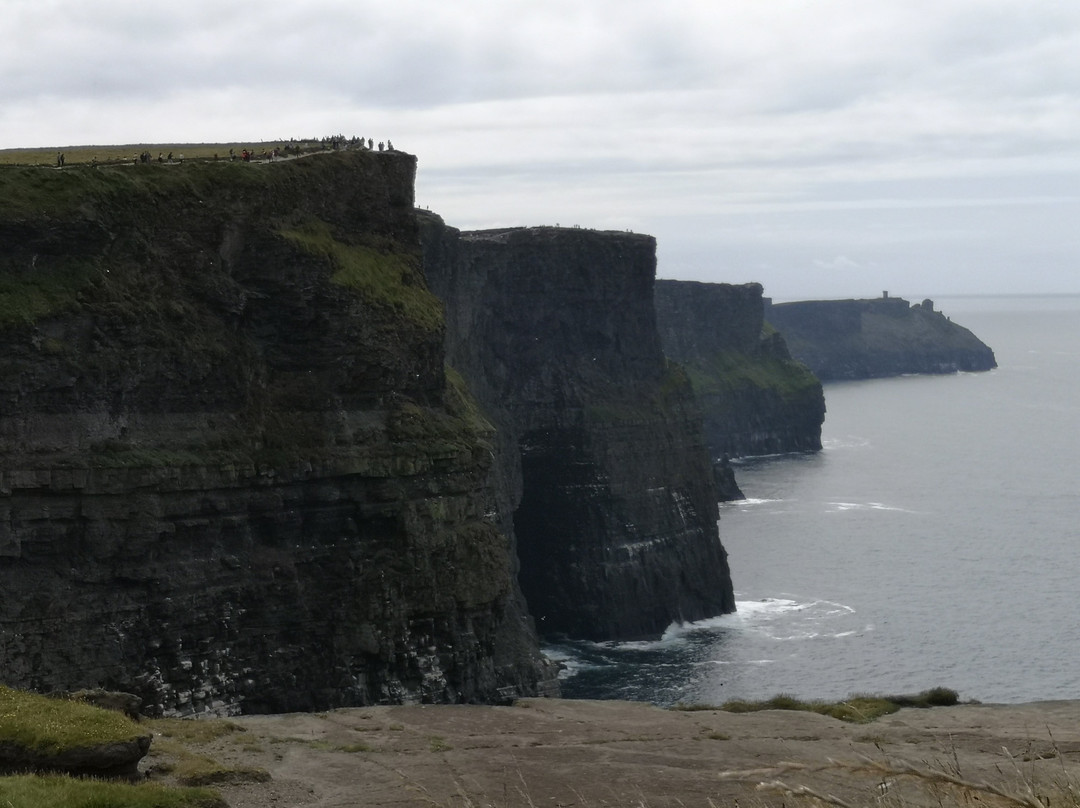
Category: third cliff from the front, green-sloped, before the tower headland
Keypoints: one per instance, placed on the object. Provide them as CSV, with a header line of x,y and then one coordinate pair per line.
x,y
755,399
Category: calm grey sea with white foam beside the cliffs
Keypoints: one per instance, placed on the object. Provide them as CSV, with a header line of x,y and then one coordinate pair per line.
x,y
934,542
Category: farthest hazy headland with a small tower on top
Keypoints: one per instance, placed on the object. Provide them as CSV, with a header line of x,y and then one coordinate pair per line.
x,y
858,340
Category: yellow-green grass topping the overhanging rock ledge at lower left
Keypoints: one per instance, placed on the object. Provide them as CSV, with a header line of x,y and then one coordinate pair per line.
x,y
56,725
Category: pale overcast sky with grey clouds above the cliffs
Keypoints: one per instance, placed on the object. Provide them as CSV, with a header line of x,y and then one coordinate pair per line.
x,y
827,149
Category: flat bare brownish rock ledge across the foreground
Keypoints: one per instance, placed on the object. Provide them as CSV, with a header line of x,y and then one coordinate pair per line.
x,y
549,752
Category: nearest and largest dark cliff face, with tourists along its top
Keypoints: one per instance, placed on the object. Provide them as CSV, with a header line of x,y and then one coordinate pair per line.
x,y
234,475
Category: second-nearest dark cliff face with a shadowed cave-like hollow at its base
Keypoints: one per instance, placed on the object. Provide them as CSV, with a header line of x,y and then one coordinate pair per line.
x,y
615,510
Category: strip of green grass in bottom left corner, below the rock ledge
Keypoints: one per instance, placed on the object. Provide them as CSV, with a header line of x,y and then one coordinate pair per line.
x,y
59,791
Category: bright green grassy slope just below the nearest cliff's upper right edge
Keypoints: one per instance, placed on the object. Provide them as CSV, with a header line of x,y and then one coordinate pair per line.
x,y
382,277
